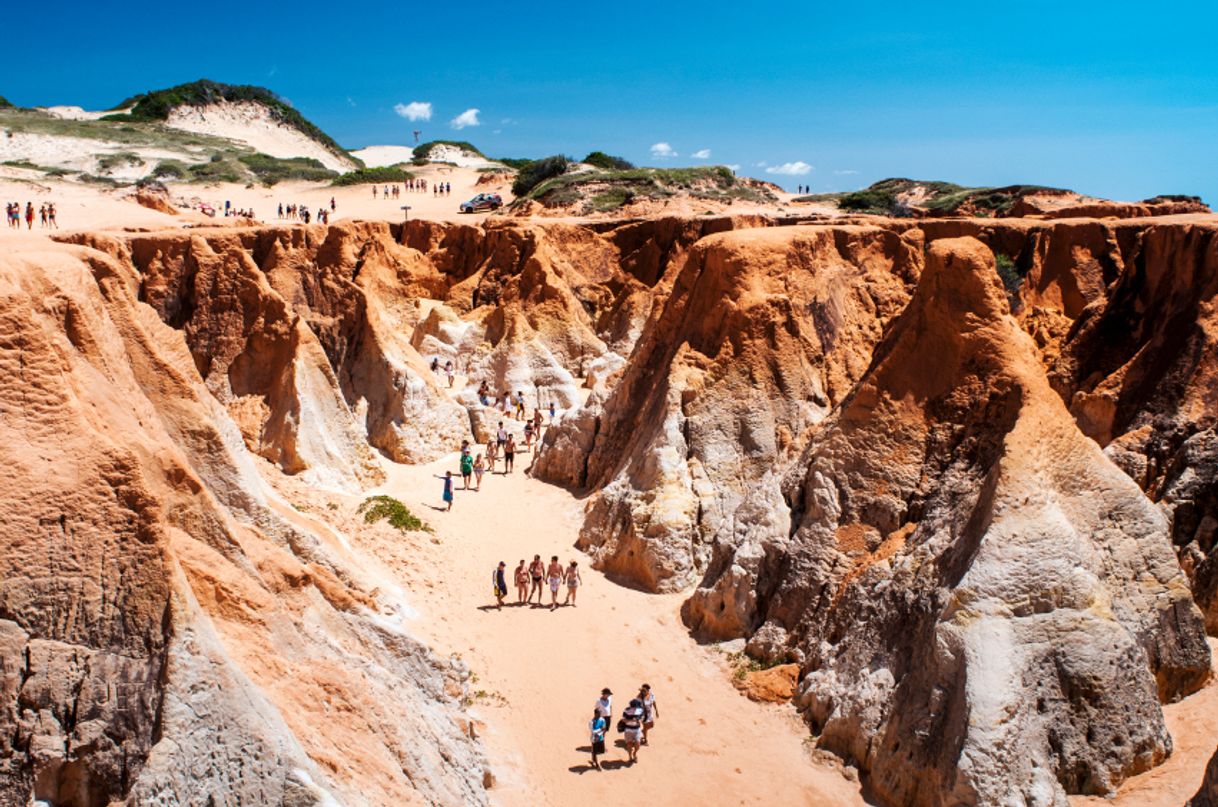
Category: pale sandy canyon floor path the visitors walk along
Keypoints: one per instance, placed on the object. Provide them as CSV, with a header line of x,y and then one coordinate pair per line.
x,y
541,670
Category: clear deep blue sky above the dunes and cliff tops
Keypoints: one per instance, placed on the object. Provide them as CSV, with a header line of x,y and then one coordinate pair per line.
x,y
1114,99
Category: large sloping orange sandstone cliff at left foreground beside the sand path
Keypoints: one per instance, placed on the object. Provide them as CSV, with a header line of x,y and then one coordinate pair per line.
x,y
166,632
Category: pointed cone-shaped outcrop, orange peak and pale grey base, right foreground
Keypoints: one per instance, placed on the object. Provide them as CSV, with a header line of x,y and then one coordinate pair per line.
x,y
987,610
